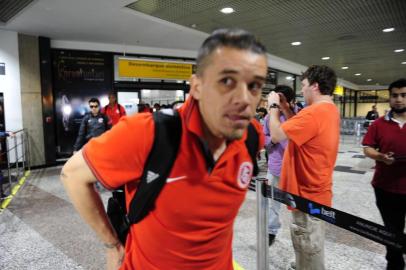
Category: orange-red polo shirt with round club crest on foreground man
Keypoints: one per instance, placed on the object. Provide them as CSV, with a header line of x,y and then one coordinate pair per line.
x,y
191,226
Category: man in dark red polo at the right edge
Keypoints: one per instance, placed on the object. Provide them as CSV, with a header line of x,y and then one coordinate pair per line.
x,y
385,142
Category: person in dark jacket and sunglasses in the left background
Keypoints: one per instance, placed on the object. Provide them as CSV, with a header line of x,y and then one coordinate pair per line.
x,y
93,124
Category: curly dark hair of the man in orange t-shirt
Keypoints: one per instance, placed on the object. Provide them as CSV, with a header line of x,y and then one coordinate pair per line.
x,y
324,76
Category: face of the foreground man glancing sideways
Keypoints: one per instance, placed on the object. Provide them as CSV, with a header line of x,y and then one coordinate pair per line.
x,y
229,90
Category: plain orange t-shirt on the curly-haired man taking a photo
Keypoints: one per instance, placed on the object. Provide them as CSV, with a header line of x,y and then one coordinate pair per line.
x,y
309,159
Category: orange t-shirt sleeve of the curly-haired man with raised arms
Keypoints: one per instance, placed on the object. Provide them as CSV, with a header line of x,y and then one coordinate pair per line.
x,y
302,127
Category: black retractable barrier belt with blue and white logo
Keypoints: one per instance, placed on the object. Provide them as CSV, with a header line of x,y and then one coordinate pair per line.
x,y
363,227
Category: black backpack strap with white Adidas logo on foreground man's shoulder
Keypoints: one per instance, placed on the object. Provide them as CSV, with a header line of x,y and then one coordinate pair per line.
x,y
168,132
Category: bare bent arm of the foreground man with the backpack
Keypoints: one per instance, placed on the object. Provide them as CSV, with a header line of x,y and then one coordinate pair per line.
x,y
78,181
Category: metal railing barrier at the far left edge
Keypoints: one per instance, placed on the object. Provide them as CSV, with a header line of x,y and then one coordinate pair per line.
x,y
15,161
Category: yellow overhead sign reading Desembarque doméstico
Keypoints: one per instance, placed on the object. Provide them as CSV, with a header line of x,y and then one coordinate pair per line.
x,y
131,68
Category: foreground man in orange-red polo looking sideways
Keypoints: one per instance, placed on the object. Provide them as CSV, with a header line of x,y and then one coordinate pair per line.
x,y
191,226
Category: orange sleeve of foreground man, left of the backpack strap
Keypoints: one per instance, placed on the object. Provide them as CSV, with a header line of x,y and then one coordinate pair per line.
x,y
118,155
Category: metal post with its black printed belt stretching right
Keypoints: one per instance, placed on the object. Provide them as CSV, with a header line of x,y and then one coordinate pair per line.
x,y
354,224
